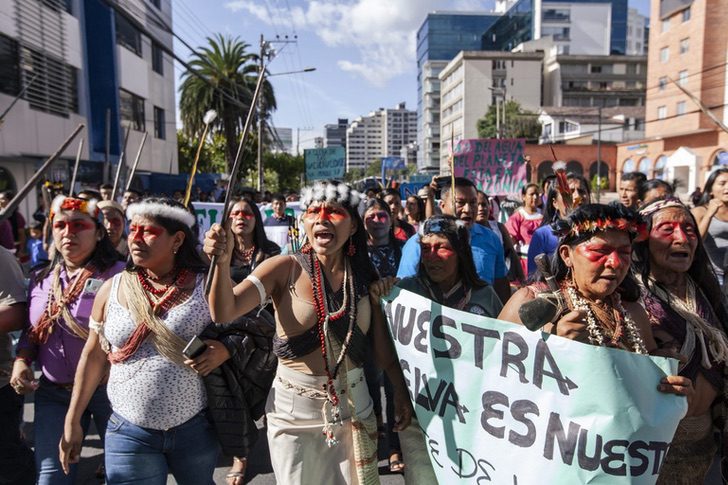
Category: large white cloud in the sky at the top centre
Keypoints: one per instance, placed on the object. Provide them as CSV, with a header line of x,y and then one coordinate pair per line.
x,y
382,33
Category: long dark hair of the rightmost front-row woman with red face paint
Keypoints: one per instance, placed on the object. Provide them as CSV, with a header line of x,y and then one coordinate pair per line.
x,y
701,271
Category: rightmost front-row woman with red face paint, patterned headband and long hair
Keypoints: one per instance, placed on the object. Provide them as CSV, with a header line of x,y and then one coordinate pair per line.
x,y
688,317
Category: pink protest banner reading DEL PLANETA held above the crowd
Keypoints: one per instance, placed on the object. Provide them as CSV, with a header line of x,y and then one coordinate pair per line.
x,y
495,165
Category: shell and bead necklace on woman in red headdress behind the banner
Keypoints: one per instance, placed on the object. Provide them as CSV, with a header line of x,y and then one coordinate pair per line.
x,y
623,323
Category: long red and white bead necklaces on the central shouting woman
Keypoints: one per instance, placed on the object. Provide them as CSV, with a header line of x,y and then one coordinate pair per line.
x,y
324,319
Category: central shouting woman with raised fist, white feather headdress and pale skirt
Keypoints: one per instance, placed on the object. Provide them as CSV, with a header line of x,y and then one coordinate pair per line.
x,y
323,317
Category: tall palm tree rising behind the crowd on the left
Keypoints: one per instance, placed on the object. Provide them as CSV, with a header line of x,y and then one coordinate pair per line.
x,y
224,79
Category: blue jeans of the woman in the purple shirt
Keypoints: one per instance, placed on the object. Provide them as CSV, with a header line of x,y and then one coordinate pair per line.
x,y
51,405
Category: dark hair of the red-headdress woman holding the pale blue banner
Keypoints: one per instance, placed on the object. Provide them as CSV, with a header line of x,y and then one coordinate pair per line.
x,y
628,288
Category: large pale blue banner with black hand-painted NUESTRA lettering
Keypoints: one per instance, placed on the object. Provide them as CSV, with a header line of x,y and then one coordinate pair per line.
x,y
500,404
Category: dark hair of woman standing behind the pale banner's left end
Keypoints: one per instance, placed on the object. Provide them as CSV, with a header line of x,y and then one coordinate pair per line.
x,y
459,238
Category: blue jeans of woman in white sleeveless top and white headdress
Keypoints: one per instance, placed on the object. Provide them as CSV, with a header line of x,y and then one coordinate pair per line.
x,y
143,456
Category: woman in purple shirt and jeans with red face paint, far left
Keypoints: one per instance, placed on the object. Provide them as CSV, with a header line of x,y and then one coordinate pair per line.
x,y
60,302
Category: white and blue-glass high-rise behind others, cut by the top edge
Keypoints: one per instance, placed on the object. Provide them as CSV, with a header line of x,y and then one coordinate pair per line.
x,y
577,26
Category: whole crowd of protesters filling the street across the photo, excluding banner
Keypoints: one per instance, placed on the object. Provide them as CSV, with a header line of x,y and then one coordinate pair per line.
x,y
107,299
